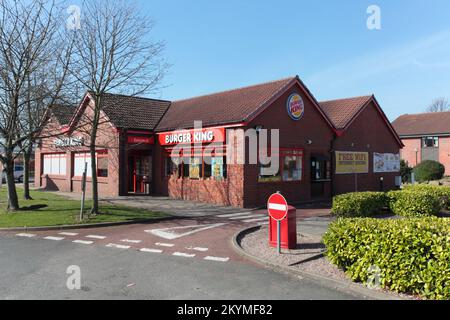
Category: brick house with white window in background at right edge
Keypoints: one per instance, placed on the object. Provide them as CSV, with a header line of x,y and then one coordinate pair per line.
x,y
426,136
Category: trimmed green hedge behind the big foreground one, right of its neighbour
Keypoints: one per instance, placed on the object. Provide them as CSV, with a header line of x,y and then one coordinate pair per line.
x,y
412,203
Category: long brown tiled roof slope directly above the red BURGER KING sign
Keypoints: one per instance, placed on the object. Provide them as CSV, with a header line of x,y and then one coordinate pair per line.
x,y
233,106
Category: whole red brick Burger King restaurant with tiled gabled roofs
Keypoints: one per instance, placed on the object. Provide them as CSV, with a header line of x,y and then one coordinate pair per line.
x,y
324,148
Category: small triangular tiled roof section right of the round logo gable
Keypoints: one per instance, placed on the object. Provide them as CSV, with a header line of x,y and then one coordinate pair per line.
x,y
342,111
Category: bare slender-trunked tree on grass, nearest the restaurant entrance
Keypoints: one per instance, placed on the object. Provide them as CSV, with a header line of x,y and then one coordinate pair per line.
x,y
114,54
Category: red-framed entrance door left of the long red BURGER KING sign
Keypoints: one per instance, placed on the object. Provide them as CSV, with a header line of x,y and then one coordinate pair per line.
x,y
139,173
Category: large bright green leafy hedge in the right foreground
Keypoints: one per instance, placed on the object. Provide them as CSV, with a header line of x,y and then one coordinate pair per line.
x,y
412,255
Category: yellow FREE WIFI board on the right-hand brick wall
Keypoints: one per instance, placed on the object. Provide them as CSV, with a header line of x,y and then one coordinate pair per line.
x,y
352,162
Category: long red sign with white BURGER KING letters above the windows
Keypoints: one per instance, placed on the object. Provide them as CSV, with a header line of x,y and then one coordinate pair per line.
x,y
192,136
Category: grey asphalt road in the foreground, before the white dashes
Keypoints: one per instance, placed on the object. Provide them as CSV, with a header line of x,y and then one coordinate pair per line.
x,y
36,269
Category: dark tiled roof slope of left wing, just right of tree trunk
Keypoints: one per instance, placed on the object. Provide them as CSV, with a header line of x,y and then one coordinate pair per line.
x,y
129,112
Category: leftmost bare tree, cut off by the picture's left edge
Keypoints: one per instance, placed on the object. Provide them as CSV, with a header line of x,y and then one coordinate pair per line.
x,y
30,45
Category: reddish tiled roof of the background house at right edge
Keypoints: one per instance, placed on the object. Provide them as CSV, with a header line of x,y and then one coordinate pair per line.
x,y
423,124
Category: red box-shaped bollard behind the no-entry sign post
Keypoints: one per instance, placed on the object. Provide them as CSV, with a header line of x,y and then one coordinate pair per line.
x,y
288,230
